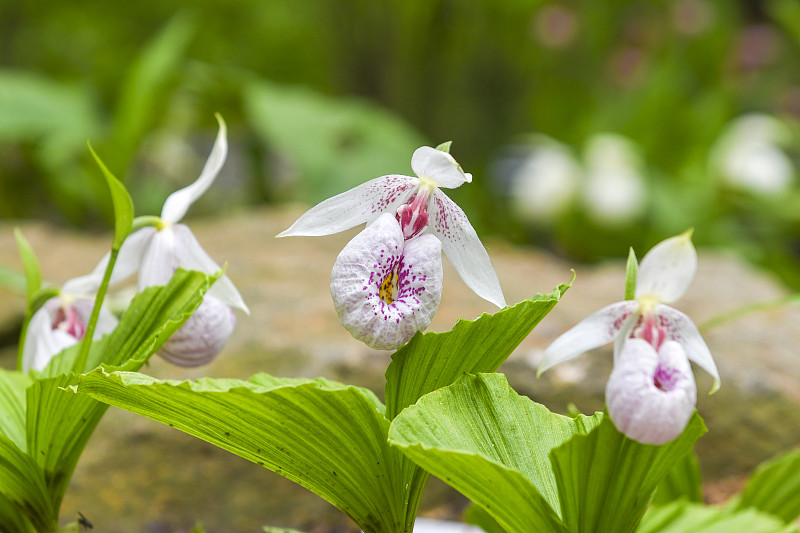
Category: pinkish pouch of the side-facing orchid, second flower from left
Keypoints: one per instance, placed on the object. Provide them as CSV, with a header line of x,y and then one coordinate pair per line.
x,y
201,337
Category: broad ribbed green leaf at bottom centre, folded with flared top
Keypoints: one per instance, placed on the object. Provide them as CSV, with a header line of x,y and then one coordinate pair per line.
x,y
492,445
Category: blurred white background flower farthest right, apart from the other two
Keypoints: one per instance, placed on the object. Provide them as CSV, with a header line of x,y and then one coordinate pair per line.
x,y
749,155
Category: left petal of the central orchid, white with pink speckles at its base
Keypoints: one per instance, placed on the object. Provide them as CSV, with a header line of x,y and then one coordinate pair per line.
x,y
364,203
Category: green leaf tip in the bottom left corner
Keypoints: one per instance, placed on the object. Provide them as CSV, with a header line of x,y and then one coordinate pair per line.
x,y
23,484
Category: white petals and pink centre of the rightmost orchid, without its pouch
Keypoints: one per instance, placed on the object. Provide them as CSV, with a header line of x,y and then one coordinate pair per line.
x,y
664,275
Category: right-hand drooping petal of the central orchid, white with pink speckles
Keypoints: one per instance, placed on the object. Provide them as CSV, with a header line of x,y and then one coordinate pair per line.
x,y
463,248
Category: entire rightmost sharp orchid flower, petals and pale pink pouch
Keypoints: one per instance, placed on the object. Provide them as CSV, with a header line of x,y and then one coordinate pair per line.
x,y
651,392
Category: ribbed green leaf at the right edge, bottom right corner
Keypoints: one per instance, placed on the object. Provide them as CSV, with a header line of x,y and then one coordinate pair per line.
x,y
775,488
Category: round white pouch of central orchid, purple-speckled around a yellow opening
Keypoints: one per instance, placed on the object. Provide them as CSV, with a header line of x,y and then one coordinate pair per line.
x,y
385,288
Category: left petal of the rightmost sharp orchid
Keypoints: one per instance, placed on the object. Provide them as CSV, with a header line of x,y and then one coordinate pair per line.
x,y
593,331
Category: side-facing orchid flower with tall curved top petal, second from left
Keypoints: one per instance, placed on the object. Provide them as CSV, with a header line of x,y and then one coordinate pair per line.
x,y
156,252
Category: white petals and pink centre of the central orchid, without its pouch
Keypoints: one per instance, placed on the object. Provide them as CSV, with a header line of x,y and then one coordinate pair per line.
x,y
420,206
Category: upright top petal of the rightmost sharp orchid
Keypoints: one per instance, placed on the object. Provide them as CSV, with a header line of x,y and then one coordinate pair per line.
x,y
667,269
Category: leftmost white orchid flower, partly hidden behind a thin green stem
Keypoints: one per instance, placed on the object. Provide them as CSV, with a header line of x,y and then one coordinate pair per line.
x,y
61,322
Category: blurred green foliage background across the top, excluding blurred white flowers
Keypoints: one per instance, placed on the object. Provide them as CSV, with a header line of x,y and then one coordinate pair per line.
x,y
322,95
